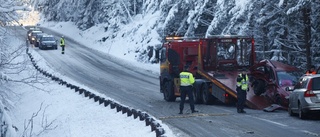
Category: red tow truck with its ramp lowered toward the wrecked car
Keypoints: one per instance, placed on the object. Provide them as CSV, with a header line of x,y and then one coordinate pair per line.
x,y
215,61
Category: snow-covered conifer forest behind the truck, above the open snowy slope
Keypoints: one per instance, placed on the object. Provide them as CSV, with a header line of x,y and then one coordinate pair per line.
x,y
284,28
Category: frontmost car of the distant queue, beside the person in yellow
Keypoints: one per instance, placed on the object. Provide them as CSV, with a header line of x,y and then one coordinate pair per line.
x,y
48,41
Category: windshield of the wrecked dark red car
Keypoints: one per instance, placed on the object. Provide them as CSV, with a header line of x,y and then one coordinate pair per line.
x,y
286,78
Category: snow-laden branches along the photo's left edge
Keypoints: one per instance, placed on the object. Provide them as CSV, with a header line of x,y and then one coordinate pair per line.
x,y
8,54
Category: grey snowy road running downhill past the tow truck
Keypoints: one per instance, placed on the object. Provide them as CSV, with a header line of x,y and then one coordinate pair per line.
x,y
140,89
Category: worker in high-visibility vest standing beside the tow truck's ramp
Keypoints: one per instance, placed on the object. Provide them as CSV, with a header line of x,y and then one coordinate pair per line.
x,y
242,89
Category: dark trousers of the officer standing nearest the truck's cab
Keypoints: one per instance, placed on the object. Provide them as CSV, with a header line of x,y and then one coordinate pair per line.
x,y
186,90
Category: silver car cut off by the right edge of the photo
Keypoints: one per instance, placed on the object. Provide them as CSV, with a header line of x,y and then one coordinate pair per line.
x,y
304,99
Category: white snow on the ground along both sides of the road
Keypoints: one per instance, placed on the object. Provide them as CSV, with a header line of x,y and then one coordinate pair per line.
x,y
46,108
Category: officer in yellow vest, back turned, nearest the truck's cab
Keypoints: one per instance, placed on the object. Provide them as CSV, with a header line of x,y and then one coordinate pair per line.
x,y
186,84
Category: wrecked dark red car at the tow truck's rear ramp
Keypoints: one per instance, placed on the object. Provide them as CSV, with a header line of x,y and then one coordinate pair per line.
x,y
270,79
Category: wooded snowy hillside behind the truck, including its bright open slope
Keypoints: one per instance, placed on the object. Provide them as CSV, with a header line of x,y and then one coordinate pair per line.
x,y
143,24
